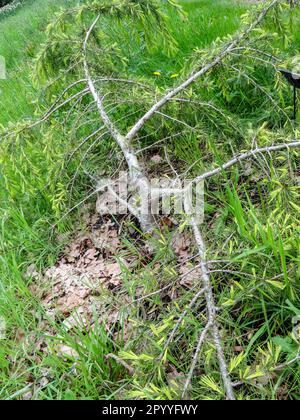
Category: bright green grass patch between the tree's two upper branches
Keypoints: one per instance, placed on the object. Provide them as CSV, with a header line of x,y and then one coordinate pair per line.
x,y
206,21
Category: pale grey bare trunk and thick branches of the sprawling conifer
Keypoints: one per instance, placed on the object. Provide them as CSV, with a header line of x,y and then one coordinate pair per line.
x,y
141,182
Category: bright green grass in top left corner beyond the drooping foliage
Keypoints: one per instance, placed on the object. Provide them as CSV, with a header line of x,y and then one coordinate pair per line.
x,y
21,34
